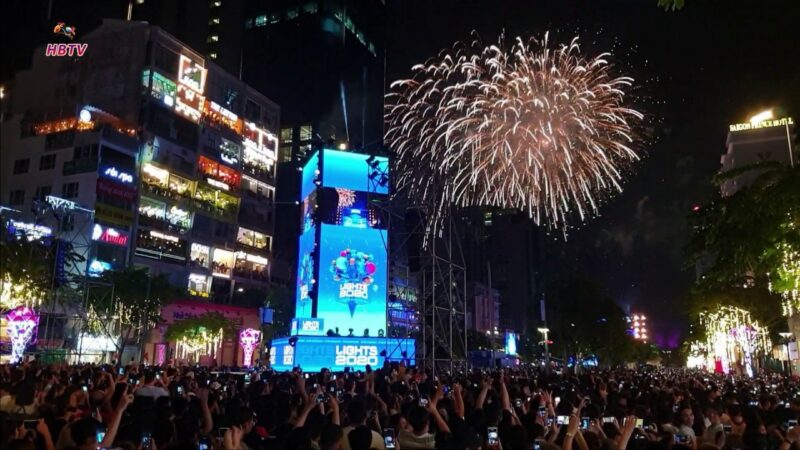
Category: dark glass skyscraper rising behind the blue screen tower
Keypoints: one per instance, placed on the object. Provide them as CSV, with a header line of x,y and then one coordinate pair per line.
x,y
323,62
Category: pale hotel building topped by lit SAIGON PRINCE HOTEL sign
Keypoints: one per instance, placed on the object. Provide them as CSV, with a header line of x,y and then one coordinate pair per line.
x,y
763,138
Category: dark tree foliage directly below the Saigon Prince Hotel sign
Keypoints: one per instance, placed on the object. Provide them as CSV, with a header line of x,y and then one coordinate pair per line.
x,y
746,238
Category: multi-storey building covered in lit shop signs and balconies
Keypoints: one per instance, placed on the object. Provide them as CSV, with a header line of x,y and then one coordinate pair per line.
x,y
175,157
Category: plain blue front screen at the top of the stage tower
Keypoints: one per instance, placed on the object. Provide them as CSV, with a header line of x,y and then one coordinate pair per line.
x,y
351,171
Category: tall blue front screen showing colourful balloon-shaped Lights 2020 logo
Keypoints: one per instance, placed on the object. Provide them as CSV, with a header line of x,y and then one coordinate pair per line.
x,y
352,280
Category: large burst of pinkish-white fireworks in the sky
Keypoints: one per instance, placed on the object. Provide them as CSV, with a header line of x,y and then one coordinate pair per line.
x,y
539,129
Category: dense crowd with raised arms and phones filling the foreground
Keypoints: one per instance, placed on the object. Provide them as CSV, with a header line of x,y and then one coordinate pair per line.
x,y
393,407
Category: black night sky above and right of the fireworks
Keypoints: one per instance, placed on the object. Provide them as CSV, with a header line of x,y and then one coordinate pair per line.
x,y
706,66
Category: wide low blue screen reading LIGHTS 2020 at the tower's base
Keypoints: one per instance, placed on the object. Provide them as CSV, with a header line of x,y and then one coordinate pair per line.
x,y
315,353
